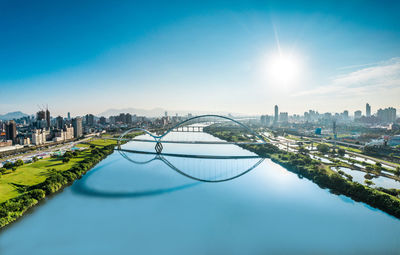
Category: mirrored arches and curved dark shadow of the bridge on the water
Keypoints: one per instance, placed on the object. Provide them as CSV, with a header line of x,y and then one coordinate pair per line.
x,y
222,169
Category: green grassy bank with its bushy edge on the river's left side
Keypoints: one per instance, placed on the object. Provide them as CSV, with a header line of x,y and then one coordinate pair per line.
x,y
24,186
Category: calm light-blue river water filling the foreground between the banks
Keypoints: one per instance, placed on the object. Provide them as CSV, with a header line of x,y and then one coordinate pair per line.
x,y
121,207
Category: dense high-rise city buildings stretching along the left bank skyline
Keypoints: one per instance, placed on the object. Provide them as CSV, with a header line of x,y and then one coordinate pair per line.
x,y
42,128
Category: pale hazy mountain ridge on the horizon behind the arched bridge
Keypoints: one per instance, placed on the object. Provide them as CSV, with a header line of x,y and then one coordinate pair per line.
x,y
157,112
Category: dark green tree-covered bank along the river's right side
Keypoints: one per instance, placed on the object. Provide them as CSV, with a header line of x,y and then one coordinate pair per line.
x,y
319,173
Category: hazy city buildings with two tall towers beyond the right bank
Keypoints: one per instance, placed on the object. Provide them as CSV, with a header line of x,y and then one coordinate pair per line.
x,y
382,127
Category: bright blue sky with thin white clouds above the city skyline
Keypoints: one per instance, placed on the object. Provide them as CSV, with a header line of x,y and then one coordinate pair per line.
x,y
88,56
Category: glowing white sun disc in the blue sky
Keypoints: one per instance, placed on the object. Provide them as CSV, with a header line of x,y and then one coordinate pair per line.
x,y
283,69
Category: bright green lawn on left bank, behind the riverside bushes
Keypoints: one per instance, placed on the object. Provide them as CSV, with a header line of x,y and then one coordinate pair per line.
x,y
37,172
